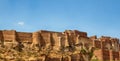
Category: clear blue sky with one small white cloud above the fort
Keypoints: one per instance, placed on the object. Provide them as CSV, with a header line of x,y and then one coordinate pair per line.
x,y
96,17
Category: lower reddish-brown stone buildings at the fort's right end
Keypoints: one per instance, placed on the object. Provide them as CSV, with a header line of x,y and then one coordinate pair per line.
x,y
107,48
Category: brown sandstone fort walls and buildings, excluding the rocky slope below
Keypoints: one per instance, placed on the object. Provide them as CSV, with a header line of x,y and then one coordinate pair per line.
x,y
106,48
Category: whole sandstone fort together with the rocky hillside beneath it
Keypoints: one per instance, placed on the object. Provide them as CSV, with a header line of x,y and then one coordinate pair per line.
x,y
70,45
